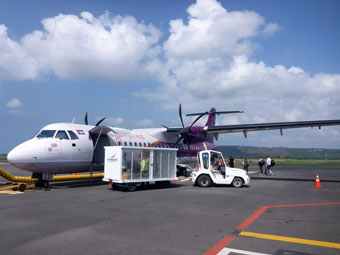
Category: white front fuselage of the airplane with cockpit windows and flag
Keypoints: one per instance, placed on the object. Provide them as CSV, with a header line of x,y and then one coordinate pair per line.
x,y
69,148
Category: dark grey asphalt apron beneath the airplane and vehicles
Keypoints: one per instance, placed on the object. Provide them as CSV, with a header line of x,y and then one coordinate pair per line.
x,y
79,218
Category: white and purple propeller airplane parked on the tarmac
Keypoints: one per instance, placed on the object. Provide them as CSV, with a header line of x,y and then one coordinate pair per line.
x,y
71,148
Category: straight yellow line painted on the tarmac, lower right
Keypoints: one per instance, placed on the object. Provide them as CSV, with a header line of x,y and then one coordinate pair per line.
x,y
291,240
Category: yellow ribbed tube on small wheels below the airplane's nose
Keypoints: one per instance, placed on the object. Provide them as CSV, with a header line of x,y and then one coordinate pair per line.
x,y
22,180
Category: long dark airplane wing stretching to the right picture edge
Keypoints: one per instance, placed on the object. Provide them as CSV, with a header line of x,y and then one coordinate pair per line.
x,y
269,126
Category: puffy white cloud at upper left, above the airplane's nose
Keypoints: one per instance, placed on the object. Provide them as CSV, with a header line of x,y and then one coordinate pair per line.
x,y
72,47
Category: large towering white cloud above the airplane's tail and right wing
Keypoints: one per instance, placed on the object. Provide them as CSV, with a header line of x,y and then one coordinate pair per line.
x,y
208,65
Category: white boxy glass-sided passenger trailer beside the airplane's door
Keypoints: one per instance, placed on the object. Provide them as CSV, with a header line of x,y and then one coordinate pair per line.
x,y
133,166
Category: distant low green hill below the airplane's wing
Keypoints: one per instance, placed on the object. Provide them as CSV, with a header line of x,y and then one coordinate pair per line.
x,y
279,152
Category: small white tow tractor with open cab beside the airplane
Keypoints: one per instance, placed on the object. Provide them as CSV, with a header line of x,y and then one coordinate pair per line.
x,y
212,169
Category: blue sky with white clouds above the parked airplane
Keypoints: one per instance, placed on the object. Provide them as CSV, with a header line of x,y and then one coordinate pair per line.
x,y
134,62
